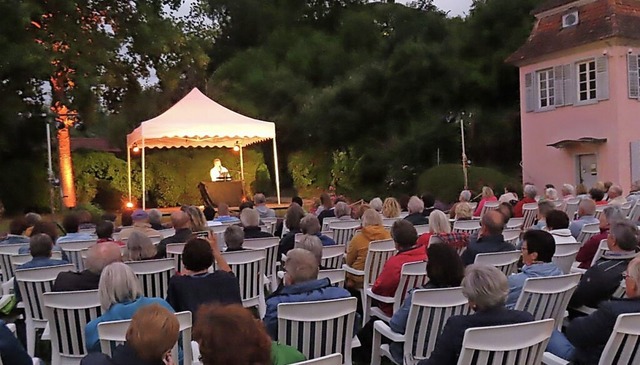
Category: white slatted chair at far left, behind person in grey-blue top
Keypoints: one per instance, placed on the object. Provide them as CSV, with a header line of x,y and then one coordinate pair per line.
x,y
33,283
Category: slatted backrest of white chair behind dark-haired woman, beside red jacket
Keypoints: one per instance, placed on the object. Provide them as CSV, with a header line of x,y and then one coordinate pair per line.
x,y
429,312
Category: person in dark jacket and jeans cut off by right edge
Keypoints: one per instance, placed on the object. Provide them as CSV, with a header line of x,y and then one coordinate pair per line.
x,y
586,337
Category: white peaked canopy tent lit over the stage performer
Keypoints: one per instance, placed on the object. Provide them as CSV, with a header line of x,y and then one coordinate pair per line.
x,y
197,121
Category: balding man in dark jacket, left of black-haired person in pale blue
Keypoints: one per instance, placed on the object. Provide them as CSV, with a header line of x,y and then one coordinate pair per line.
x,y
489,239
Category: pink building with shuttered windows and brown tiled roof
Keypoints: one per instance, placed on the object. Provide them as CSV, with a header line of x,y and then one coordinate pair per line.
x,y
580,100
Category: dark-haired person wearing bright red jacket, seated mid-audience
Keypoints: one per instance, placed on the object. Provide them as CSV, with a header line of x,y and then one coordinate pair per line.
x,y
405,236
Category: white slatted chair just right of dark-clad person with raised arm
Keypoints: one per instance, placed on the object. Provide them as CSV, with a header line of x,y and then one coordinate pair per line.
x,y
248,266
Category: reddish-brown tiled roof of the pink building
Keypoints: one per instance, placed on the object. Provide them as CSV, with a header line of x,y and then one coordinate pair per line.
x,y
598,20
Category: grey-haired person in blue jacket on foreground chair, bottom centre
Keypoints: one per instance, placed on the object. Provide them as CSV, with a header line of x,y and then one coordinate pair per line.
x,y
301,284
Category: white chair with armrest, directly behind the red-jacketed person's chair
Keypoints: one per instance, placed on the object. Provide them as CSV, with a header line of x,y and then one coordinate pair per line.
x,y
430,310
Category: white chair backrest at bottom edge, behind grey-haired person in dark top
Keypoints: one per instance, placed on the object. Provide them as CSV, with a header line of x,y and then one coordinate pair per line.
x,y
522,343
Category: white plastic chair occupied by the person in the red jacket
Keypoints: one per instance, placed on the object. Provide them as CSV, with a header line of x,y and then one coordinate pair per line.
x,y
413,275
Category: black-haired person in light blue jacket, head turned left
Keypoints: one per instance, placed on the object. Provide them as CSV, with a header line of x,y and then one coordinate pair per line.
x,y
538,248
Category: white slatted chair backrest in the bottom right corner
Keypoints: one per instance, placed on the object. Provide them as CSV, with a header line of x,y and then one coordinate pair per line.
x,y
623,346
